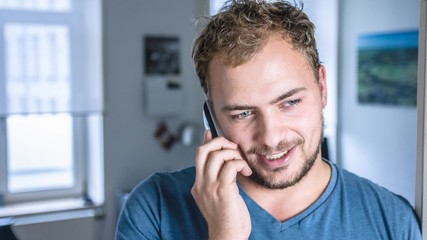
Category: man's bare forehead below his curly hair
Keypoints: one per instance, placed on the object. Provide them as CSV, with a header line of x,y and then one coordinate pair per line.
x,y
275,69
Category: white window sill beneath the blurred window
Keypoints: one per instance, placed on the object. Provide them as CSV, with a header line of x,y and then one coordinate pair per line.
x,y
48,211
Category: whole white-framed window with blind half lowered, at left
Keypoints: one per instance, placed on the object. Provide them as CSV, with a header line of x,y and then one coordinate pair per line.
x,y
50,97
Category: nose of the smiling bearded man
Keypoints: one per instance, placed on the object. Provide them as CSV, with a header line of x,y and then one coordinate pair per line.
x,y
270,130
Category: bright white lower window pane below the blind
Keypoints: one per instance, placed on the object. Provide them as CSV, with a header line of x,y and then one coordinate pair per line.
x,y
40,152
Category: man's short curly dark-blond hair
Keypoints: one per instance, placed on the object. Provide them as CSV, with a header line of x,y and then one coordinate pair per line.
x,y
241,29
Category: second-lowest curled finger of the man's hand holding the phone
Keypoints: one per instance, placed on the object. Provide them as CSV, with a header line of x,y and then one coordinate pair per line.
x,y
216,161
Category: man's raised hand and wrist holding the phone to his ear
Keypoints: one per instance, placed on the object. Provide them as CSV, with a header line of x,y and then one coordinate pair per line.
x,y
215,190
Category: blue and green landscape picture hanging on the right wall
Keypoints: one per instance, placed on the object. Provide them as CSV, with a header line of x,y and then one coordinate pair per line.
x,y
387,68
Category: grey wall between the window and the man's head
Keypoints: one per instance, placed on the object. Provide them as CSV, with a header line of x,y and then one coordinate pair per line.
x,y
131,152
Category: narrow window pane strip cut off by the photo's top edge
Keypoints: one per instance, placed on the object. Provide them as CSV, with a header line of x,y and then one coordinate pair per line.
x,y
42,5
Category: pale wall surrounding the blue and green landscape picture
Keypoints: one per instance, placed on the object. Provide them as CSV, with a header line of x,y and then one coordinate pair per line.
x,y
377,142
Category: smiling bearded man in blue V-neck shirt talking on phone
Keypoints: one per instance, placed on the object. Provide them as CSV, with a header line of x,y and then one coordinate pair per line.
x,y
264,178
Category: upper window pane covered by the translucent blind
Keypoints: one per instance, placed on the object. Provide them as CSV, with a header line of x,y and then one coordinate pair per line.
x,y
37,68
